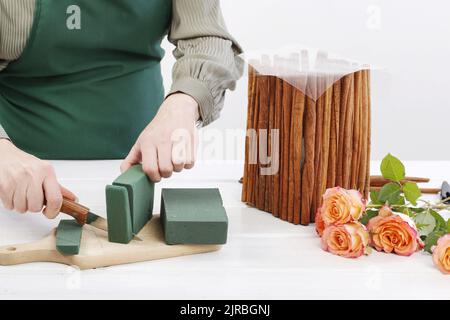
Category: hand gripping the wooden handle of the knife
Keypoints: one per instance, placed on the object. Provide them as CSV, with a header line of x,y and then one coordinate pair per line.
x,y
27,183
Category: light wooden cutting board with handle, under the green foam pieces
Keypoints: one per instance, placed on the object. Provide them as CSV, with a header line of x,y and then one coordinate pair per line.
x,y
96,251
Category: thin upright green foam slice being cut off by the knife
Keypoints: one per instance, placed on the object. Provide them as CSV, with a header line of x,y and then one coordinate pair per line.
x,y
119,216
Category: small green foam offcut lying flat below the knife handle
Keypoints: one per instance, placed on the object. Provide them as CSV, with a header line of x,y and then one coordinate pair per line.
x,y
68,237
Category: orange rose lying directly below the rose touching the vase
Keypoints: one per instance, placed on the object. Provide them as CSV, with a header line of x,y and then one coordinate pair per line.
x,y
349,240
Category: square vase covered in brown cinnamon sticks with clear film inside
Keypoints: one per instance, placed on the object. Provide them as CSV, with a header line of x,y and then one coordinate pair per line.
x,y
308,129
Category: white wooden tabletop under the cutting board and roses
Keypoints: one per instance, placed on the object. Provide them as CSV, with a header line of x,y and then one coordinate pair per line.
x,y
265,258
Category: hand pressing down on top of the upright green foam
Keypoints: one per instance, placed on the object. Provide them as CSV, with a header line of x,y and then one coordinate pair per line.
x,y
169,142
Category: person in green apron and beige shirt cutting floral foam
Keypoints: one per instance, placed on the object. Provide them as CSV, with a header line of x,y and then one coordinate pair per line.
x,y
81,79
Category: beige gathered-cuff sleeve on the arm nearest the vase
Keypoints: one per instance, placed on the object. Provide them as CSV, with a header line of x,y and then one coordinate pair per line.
x,y
207,55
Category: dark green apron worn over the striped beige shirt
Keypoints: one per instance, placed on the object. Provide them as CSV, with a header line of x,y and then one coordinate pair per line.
x,y
89,80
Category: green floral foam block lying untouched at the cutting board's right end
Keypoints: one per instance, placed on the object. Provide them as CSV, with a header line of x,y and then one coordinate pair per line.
x,y
193,216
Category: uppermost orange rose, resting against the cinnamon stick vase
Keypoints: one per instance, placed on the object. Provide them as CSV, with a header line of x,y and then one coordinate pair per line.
x,y
341,206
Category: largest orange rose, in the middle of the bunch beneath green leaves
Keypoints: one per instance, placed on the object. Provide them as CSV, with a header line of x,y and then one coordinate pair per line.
x,y
394,232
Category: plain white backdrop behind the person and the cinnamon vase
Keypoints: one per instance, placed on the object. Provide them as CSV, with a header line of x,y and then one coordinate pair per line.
x,y
409,38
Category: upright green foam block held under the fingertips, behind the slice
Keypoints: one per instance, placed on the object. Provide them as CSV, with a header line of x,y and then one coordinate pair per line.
x,y
140,194
